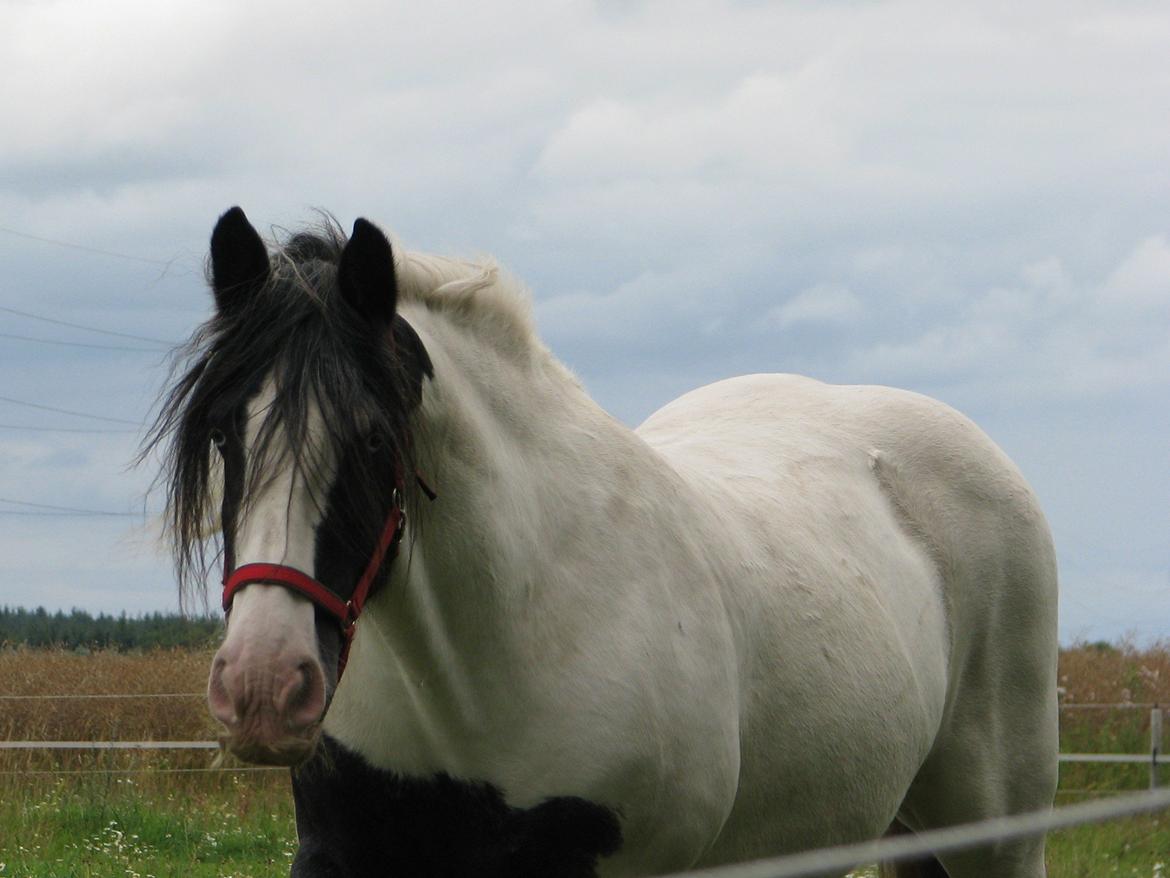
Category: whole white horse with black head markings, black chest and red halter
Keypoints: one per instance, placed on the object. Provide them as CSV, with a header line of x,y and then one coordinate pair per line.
x,y
779,615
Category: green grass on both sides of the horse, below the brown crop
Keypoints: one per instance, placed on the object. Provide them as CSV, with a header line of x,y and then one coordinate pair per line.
x,y
101,825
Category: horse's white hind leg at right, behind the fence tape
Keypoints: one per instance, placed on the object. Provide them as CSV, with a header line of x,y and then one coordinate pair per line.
x,y
995,757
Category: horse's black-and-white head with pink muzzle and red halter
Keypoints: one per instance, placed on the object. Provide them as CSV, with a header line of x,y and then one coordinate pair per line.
x,y
290,436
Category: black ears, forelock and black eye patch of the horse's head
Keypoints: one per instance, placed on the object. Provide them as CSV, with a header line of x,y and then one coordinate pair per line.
x,y
318,317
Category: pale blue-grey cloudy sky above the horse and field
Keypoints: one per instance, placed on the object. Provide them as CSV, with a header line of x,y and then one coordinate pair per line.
x,y
972,201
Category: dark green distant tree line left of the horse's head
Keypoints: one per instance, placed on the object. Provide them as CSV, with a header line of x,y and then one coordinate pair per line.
x,y
80,630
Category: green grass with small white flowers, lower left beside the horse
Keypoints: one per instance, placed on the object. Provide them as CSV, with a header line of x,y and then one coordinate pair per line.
x,y
238,826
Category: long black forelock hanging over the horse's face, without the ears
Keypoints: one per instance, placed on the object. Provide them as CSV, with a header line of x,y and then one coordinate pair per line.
x,y
298,330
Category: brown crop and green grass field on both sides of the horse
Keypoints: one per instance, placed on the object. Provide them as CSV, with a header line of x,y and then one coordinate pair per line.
x,y
132,815
